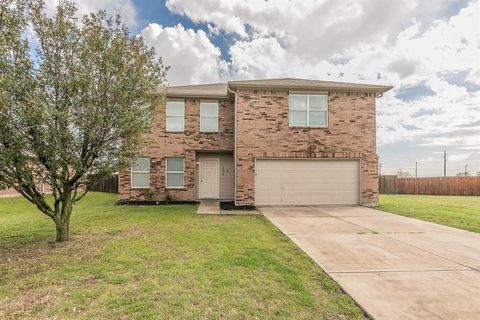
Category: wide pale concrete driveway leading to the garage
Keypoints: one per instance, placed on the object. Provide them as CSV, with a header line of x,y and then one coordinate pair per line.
x,y
394,267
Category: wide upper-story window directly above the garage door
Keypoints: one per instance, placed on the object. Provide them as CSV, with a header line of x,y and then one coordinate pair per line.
x,y
308,110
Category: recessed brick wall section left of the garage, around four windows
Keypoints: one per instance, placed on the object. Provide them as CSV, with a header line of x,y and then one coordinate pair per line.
x,y
160,144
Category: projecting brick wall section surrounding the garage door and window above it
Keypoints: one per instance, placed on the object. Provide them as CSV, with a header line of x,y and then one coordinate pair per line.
x,y
263,131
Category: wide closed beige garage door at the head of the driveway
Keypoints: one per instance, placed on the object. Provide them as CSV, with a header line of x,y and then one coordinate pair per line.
x,y
306,182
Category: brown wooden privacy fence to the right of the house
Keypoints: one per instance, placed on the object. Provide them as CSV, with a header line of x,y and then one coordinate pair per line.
x,y
453,186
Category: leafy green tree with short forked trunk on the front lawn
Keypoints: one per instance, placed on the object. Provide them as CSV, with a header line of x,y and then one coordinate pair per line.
x,y
75,99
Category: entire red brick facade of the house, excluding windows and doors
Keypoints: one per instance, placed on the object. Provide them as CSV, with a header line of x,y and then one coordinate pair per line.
x,y
262,131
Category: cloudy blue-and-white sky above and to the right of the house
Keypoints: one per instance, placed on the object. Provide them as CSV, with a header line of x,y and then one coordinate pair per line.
x,y
429,50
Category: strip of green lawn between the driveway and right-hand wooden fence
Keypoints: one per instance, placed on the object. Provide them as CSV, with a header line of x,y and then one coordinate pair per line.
x,y
455,211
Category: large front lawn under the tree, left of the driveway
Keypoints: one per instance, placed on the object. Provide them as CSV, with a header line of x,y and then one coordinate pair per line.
x,y
161,262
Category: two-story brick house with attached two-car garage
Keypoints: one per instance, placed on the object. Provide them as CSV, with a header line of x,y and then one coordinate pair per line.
x,y
263,142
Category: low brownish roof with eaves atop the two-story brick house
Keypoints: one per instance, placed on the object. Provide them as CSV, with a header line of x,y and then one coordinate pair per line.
x,y
220,90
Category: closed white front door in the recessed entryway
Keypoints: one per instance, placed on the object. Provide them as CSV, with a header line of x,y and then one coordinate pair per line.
x,y
209,179
